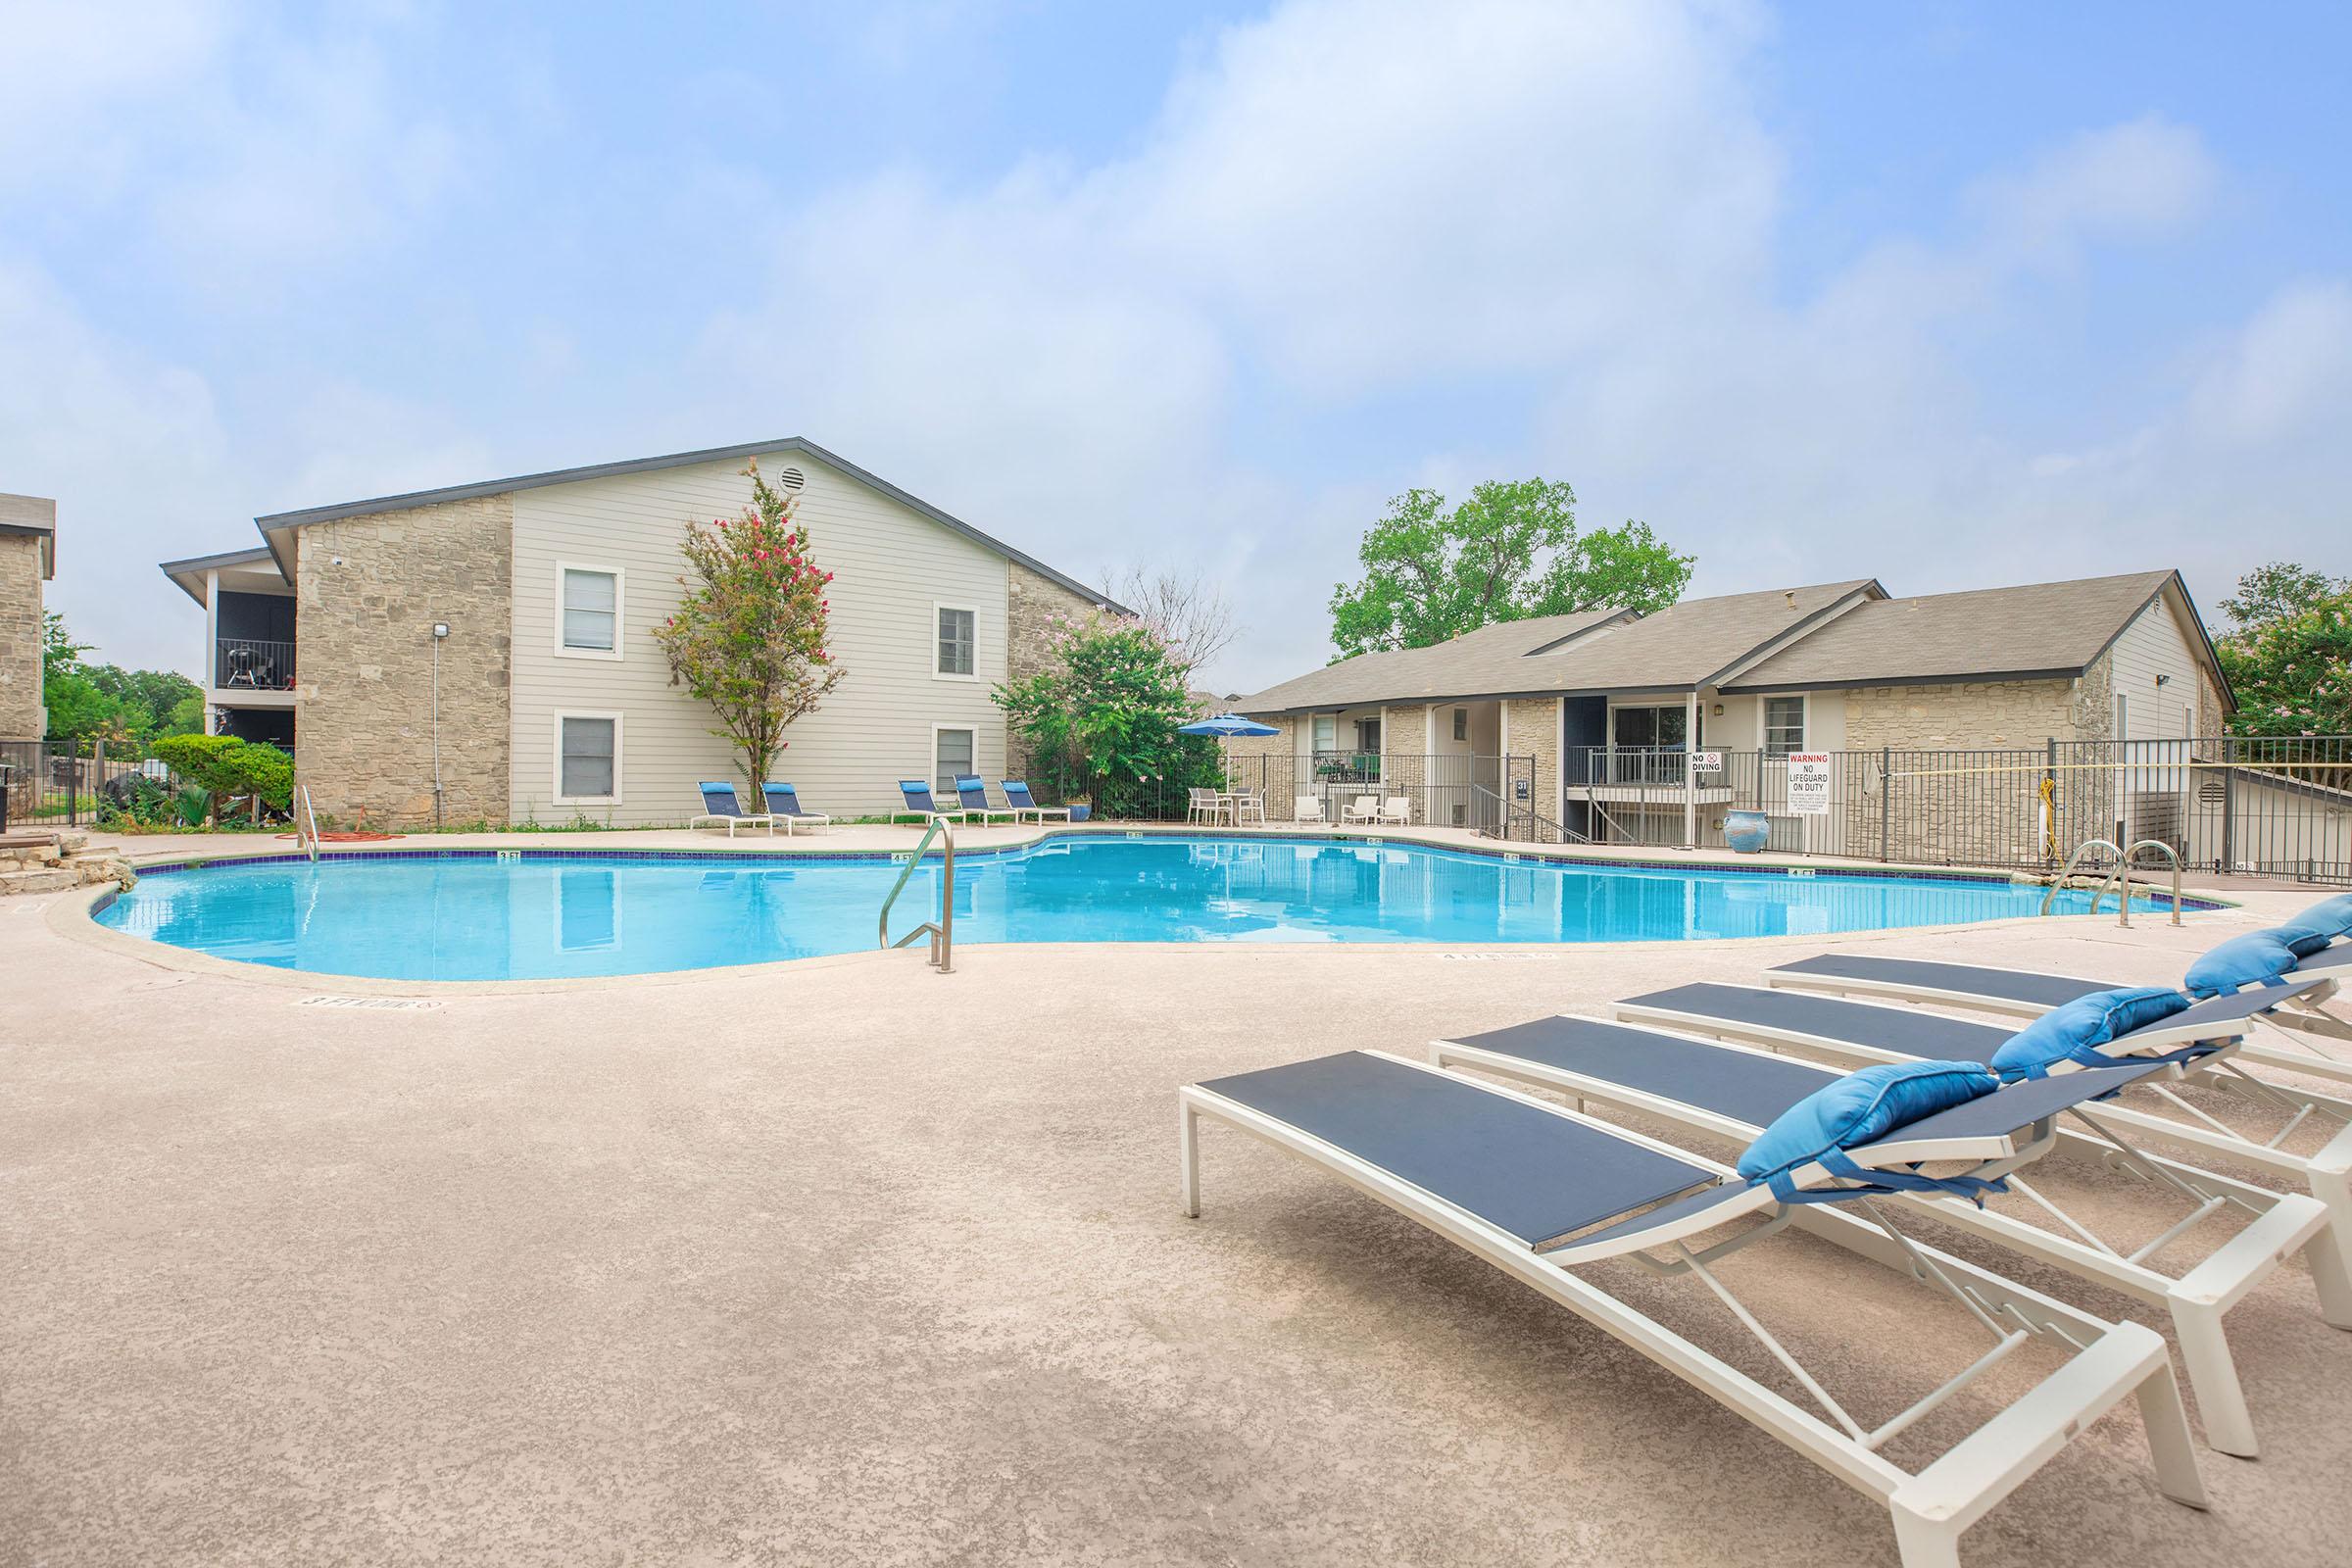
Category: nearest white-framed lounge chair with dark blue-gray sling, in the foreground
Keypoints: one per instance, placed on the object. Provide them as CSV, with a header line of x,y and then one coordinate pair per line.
x,y
1542,1193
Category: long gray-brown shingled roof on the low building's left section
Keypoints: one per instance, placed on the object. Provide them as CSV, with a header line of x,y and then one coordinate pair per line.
x,y
1608,650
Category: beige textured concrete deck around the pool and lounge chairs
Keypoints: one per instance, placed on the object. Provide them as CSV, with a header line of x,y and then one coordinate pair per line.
x,y
857,1264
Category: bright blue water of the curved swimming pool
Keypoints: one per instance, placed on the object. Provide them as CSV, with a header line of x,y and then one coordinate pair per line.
x,y
474,918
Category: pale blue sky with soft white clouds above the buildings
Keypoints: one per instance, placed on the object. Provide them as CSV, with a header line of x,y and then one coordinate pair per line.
x,y
1951,295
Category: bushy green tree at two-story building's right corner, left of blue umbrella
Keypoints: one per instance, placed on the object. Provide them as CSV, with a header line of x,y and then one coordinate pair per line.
x,y
1104,716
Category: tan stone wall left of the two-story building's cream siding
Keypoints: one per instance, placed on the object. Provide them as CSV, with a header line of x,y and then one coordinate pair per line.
x,y
368,594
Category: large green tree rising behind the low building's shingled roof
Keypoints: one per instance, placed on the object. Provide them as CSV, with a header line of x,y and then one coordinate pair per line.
x,y
1506,554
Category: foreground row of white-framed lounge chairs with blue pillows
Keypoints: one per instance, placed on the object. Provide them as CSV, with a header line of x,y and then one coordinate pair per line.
x,y
1944,1118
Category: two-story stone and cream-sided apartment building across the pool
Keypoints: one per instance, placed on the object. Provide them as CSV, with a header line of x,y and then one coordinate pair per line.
x,y
483,652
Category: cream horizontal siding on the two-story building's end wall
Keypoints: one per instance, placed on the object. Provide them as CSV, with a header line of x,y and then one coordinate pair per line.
x,y
890,568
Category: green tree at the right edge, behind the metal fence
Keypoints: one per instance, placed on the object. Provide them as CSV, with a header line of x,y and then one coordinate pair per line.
x,y
2290,659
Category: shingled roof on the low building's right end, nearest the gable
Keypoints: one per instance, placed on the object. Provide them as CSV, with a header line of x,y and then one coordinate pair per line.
x,y
2029,631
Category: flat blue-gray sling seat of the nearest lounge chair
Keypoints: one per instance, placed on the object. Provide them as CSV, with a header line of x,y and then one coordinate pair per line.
x,y
1528,1172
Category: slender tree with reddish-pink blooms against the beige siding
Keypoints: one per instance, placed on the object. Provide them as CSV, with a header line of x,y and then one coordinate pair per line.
x,y
749,636
